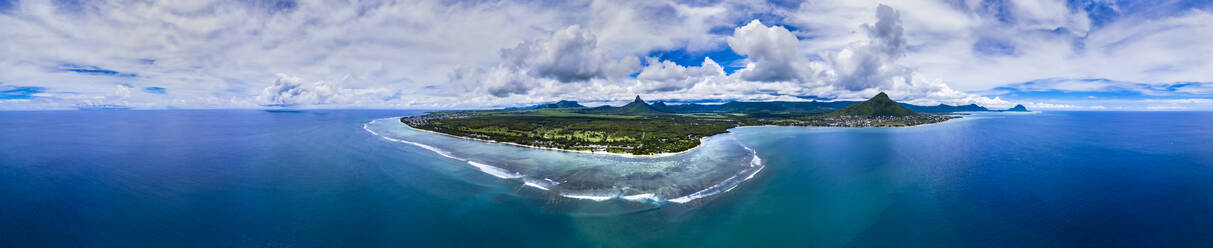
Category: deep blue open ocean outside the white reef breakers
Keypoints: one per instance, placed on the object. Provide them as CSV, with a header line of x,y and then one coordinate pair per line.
x,y
318,179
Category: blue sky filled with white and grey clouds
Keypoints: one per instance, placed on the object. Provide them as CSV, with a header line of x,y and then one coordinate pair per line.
x,y
1100,55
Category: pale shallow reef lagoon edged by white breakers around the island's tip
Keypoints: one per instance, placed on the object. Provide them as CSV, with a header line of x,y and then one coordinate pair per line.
x,y
721,164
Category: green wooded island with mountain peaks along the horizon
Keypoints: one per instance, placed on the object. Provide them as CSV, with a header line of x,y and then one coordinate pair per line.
x,y
643,129
